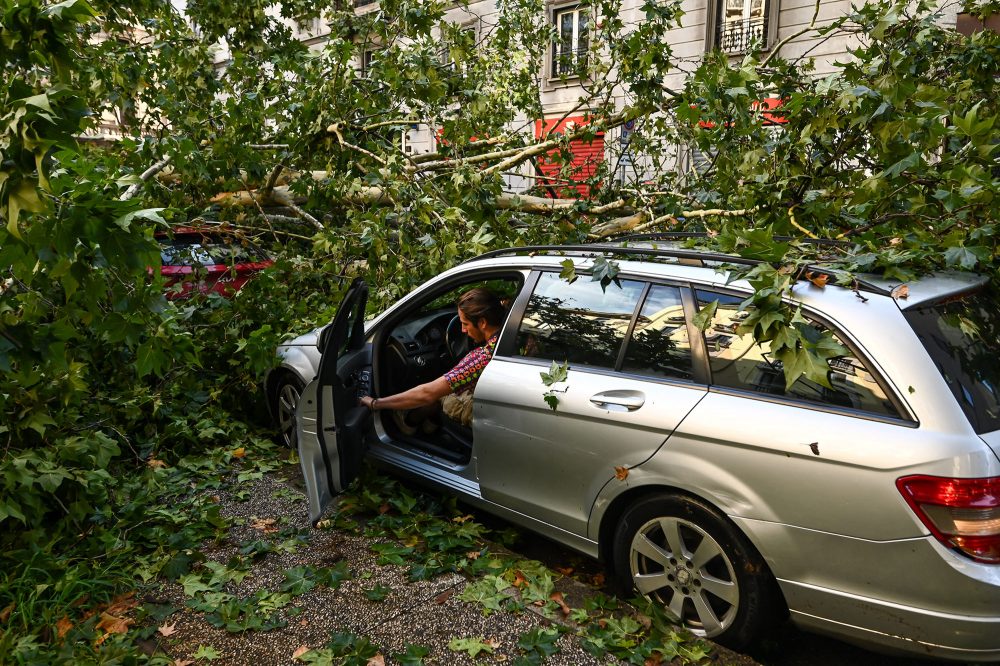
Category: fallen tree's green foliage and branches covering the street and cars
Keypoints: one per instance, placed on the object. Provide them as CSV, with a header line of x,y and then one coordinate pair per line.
x,y
894,154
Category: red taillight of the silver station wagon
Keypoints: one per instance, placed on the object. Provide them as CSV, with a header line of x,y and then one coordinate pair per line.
x,y
963,514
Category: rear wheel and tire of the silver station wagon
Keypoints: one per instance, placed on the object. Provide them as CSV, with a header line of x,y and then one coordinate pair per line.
x,y
682,553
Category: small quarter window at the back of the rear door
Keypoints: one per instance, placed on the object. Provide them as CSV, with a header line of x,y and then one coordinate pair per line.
x,y
659,344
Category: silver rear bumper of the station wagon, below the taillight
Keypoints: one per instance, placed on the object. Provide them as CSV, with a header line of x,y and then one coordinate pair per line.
x,y
909,596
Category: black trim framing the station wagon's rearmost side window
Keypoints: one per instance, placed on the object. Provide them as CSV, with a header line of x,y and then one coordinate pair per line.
x,y
906,416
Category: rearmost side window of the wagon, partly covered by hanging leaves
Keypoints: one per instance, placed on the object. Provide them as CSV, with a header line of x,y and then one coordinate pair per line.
x,y
738,361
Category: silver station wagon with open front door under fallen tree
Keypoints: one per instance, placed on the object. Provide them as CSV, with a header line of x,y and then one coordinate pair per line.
x,y
868,509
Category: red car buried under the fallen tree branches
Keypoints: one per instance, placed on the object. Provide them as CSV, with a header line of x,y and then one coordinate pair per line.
x,y
207,260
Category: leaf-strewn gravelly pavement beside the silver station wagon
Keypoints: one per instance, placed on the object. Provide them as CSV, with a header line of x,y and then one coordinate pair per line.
x,y
426,613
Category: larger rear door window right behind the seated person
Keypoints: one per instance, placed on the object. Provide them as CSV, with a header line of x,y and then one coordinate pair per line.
x,y
581,323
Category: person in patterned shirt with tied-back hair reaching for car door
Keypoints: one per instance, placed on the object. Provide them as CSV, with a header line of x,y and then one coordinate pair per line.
x,y
481,313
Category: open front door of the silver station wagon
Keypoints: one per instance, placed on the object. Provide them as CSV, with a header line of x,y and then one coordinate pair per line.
x,y
330,422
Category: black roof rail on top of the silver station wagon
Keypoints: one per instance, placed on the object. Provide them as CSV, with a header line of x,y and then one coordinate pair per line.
x,y
685,256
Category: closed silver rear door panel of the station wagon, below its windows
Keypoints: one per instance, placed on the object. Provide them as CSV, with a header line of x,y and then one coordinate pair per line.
x,y
552,464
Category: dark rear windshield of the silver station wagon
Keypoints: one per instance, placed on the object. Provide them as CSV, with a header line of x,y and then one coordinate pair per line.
x,y
963,338
